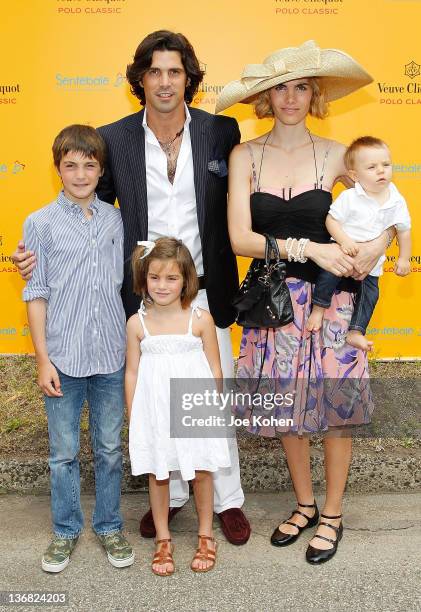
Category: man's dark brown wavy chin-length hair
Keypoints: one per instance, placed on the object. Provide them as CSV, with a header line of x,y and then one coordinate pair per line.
x,y
164,40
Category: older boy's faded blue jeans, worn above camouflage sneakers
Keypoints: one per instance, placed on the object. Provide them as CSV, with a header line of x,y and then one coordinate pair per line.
x,y
104,393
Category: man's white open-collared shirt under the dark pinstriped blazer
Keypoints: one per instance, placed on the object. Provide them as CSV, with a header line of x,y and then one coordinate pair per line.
x,y
172,209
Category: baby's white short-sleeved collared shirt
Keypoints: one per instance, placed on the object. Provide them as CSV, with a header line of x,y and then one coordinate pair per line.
x,y
363,218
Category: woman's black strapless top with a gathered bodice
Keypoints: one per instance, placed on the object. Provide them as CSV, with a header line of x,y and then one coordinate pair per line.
x,y
301,216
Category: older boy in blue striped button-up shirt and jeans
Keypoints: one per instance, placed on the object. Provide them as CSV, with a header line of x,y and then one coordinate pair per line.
x,y
77,323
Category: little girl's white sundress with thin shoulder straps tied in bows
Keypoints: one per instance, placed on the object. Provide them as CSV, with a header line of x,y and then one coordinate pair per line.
x,y
152,450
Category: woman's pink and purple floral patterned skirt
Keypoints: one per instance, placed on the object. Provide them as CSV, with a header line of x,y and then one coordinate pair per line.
x,y
326,377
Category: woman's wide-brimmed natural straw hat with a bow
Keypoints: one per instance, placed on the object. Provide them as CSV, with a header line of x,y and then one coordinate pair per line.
x,y
339,74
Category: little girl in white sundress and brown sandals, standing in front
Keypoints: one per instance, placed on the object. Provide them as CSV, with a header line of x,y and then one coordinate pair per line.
x,y
169,338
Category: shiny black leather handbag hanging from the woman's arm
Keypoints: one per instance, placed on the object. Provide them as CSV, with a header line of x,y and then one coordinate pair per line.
x,y
263,299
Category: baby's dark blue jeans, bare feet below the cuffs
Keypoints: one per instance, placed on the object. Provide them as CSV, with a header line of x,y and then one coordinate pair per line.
x,y
365,301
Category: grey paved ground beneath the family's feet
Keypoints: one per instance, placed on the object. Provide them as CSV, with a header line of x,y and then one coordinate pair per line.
x,y
377,566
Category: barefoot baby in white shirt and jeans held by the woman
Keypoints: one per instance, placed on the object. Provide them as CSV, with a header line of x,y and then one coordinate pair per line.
x,y
358,215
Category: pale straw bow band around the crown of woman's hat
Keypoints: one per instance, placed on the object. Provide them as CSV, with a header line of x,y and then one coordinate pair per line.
x,y
253,74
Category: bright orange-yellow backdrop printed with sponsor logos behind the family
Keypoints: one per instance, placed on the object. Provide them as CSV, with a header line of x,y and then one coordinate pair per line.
x,y
63,62
